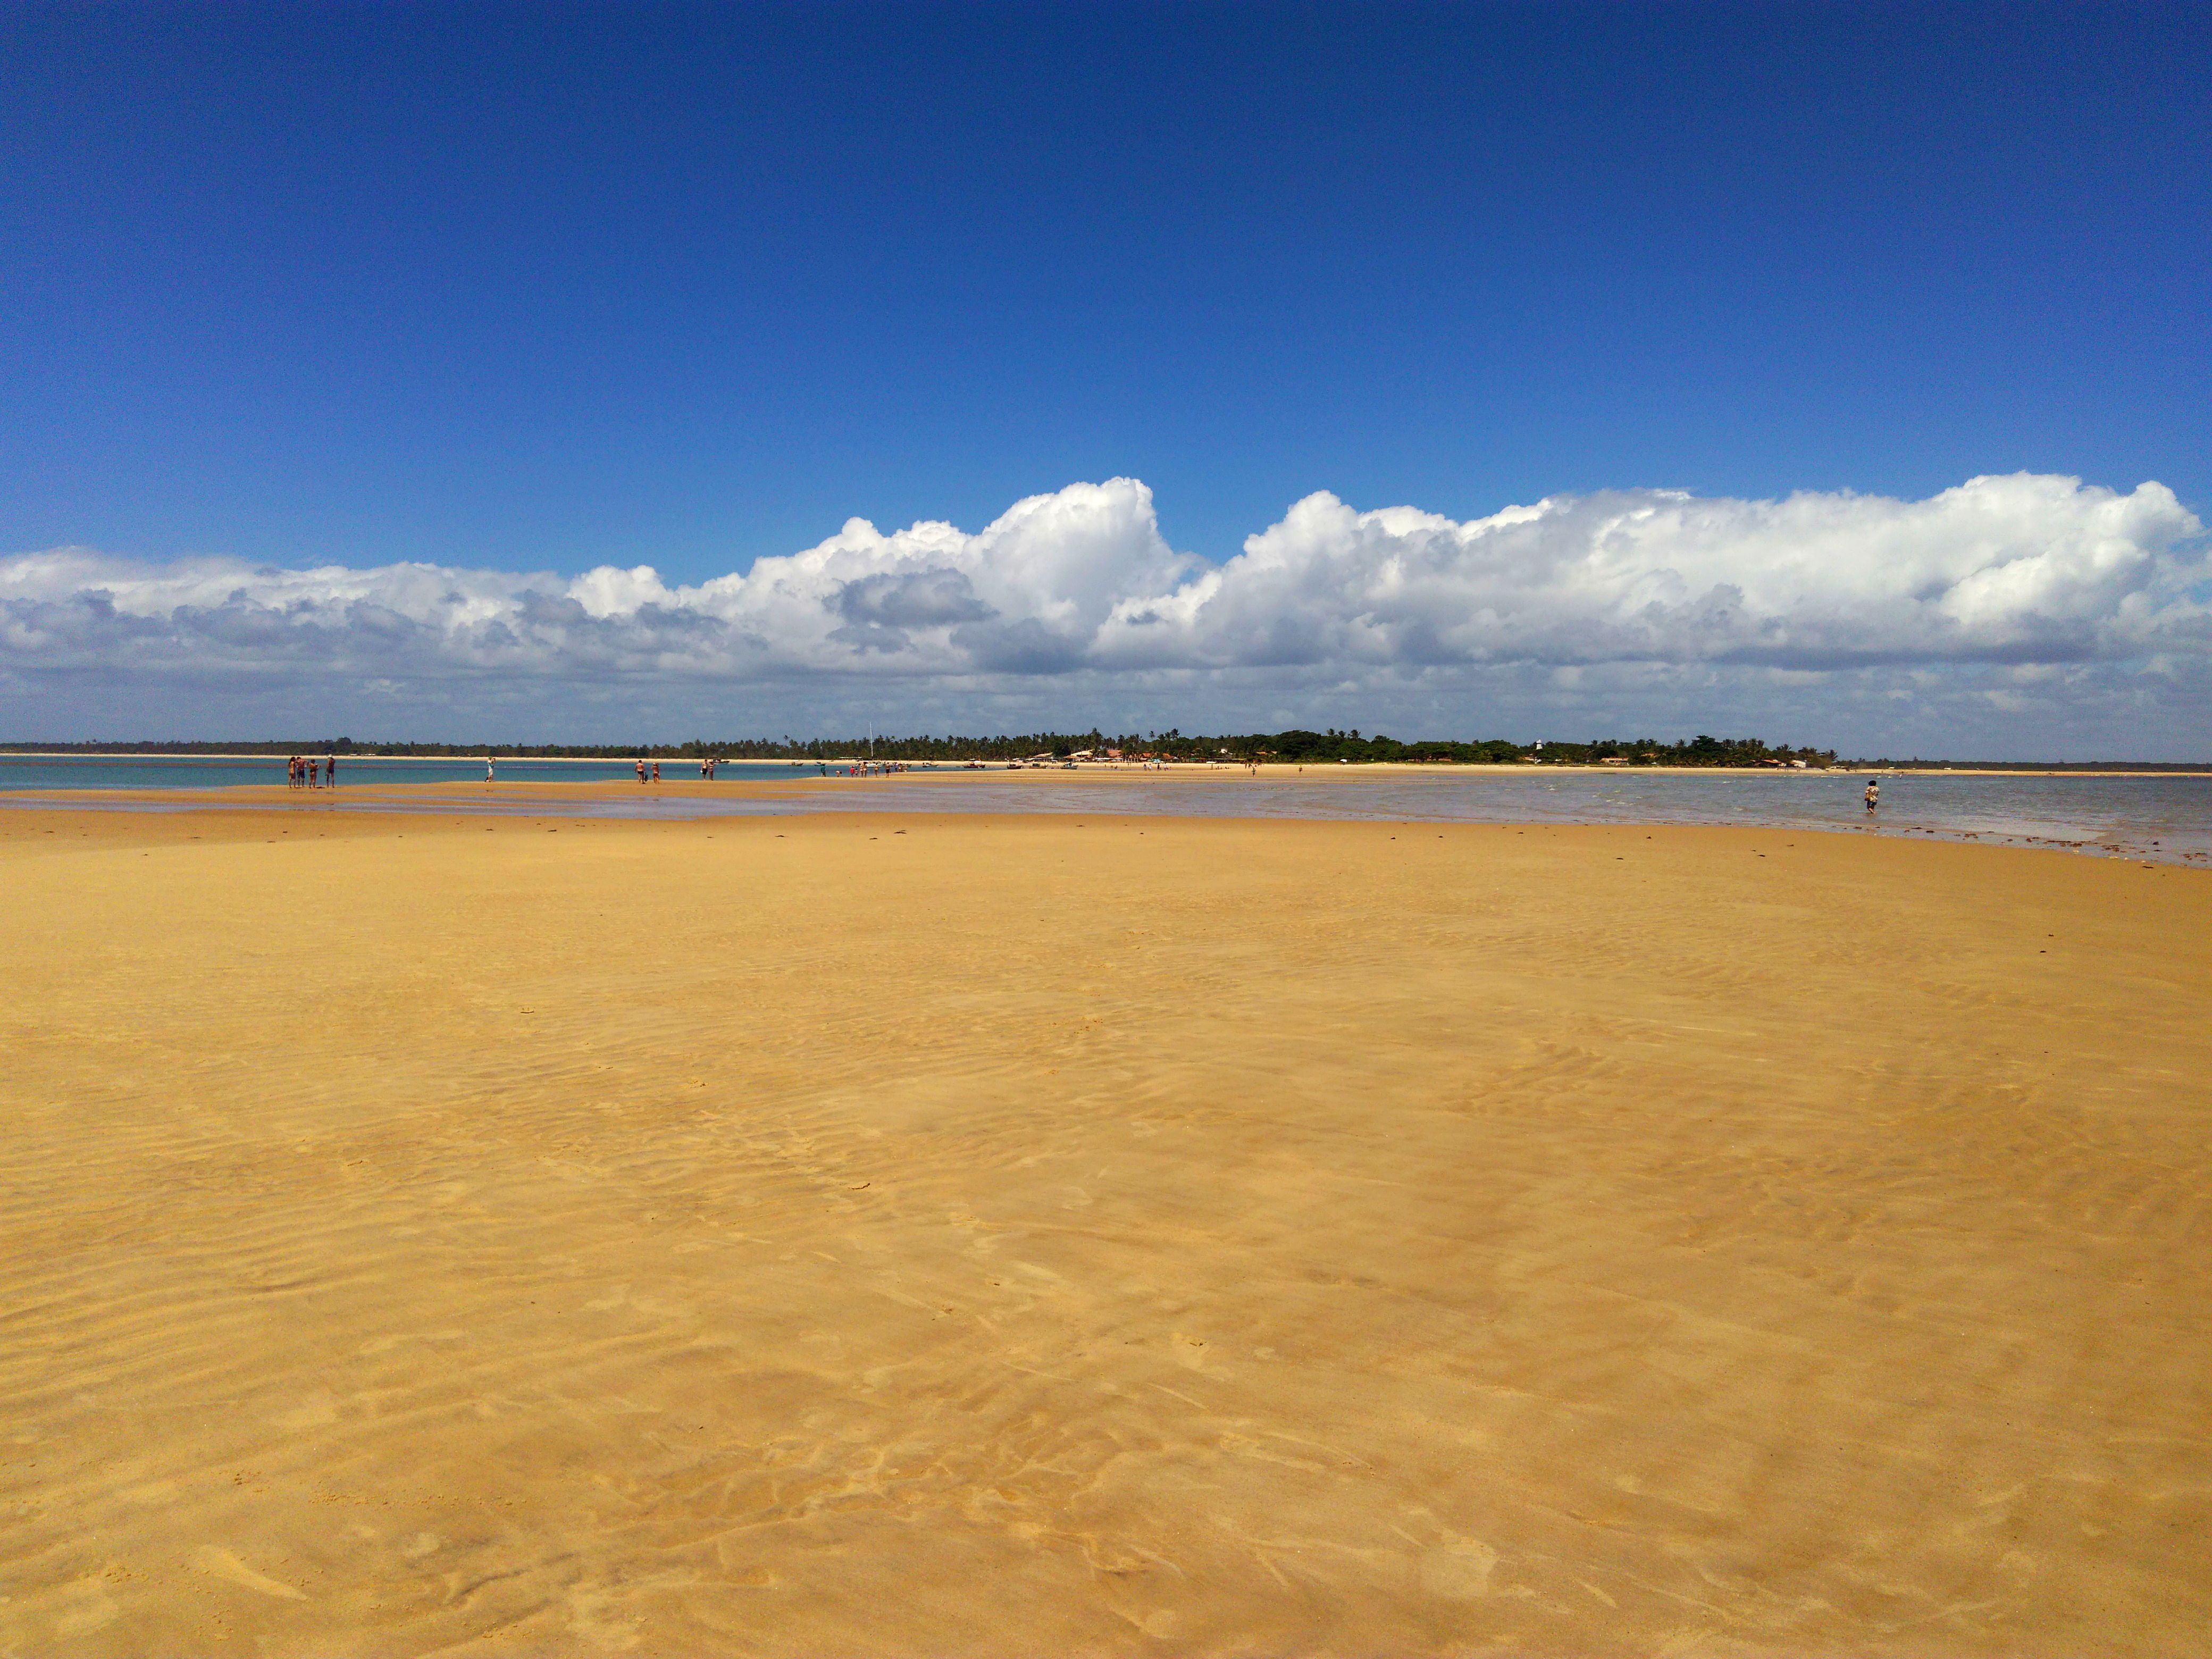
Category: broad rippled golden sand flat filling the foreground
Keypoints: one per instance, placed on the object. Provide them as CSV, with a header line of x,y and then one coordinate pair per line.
x,y
1021,1235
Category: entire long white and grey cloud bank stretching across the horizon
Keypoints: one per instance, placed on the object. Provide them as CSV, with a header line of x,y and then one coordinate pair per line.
x,y
2003,601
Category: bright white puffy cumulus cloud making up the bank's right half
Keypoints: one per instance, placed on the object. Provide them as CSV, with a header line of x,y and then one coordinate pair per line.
x,y
1999,570
